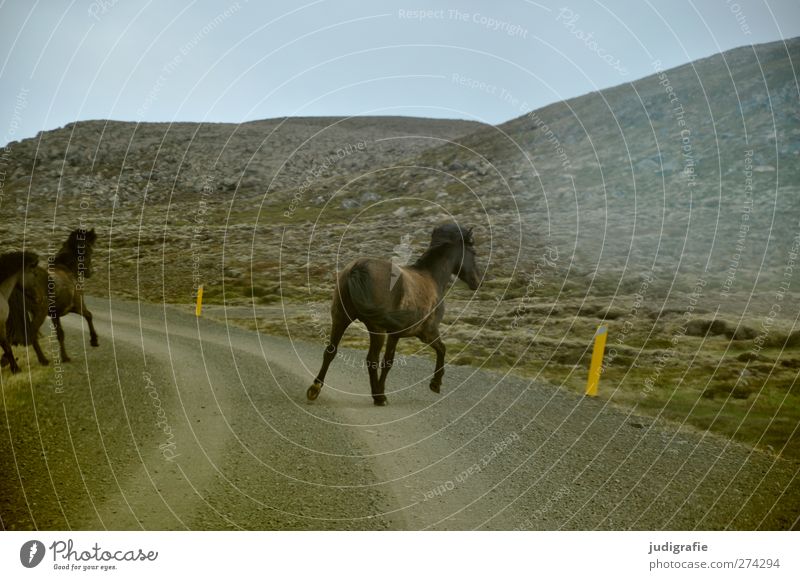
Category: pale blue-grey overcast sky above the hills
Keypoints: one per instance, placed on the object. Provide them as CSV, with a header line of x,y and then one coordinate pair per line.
x,y
237,61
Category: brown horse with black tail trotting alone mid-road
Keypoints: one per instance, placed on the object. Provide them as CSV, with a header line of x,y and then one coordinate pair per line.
x,y
399,301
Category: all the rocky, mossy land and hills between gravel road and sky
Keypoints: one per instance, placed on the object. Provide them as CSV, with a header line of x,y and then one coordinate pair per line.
x,y
666,208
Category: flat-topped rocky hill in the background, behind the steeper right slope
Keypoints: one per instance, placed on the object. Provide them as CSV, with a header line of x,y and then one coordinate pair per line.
x,y
154,162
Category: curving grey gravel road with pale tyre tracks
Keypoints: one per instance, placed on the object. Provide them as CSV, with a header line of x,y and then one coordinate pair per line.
x,y
176,422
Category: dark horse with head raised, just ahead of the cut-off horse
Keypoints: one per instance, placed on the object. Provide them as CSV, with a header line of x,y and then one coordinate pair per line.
x,y
55,292
